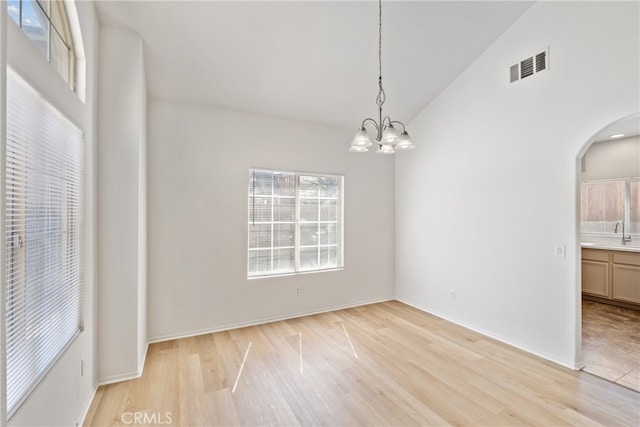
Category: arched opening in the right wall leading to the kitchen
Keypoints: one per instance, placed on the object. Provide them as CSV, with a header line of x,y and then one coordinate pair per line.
x,y
609,263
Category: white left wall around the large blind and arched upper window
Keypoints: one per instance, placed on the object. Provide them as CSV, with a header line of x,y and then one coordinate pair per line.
x,y
65,394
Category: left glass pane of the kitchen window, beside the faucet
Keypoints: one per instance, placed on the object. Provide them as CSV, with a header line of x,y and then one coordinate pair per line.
x,y
602,206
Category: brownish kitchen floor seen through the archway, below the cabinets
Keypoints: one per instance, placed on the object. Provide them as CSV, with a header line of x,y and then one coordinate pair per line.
x,y
611,343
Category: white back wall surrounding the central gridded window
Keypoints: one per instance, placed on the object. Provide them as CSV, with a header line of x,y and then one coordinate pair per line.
x,y
198,167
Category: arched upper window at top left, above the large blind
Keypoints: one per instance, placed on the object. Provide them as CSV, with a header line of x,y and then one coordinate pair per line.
x,y
45,22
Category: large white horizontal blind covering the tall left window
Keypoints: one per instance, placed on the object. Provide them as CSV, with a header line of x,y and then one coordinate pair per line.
x,y
43,208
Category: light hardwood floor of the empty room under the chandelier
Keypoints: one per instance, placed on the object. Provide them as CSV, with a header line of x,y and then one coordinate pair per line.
x,y
380,364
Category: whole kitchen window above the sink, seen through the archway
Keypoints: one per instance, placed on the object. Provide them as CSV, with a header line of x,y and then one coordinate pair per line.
x,y
606,202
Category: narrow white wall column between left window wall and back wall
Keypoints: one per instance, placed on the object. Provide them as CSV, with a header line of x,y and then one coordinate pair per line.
x,y
122,335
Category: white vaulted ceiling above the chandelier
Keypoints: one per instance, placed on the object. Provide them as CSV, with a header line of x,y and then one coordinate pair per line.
x,y
309,61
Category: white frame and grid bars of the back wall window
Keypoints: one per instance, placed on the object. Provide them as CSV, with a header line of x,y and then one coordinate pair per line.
x,y
297,246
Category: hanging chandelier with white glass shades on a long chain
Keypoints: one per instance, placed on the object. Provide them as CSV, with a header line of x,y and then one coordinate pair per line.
x,y
388,139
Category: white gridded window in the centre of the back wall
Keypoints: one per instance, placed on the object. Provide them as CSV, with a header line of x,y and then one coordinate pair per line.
x,y
295,223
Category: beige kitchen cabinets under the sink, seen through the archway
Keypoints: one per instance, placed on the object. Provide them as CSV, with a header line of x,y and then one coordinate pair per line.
x,y
611,275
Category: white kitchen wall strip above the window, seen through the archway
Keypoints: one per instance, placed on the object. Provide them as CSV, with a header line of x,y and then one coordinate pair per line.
x,y
616,159
